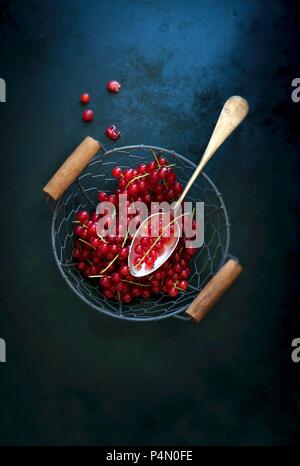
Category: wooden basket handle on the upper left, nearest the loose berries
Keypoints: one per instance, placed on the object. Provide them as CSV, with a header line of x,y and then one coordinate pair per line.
x,y
72,167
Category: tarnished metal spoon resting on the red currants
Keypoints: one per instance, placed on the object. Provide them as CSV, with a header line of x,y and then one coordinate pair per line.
x,y
233,112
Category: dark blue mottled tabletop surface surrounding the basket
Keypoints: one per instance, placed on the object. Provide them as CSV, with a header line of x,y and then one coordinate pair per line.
x,y
74,376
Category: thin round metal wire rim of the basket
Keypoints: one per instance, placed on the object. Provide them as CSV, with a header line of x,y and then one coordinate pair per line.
x,y
121,316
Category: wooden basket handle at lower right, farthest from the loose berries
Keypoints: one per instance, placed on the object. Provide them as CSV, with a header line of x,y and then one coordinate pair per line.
x,y
214,290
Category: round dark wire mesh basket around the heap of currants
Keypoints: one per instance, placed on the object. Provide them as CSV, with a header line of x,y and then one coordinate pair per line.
x,y
82,194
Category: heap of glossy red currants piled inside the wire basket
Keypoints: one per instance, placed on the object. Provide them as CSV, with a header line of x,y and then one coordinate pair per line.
x,y
104,257
